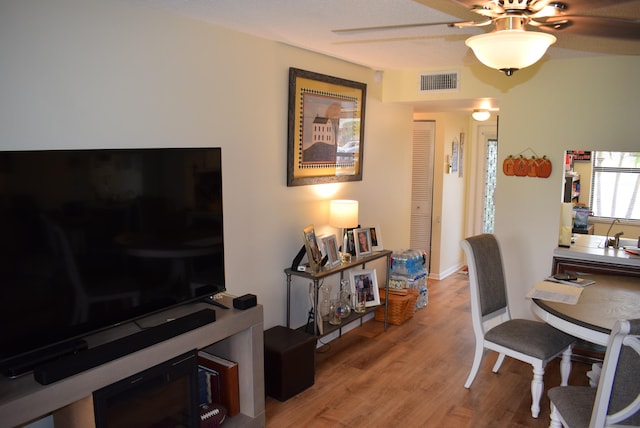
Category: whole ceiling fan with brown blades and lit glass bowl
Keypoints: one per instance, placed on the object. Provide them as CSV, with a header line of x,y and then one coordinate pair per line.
x,y
509,47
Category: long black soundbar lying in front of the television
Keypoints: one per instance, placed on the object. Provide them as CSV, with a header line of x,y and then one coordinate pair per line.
x,y
68,366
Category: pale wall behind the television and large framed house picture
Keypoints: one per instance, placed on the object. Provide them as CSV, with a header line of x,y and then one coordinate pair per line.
x,y
101,73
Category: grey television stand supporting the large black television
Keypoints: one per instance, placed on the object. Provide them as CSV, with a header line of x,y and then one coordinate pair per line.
x,y
236,335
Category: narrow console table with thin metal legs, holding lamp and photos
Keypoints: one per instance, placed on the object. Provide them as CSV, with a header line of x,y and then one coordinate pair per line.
x,y
317,277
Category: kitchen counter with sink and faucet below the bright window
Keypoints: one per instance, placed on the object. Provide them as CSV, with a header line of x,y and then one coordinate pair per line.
x,y
587,253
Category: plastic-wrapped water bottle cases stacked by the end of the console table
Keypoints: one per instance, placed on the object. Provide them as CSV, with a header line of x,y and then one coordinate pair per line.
x,y
408,270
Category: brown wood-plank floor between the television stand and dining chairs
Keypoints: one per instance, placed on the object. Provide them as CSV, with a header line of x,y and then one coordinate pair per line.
x,y
413,375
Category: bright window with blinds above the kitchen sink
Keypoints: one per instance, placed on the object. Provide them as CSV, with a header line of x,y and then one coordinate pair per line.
x,y
615,184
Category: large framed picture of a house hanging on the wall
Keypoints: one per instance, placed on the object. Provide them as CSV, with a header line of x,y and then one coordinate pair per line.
x,y
325,130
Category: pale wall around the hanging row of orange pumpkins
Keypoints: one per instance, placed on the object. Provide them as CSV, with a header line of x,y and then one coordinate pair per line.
x,y
587,103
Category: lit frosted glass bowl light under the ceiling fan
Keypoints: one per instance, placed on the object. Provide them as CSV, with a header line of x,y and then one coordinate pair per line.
x,y
510,50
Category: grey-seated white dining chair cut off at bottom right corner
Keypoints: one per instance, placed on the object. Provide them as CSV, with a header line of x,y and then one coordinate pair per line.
x,y
616,400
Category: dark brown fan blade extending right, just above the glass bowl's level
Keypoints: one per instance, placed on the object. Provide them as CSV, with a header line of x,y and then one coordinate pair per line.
x,y
593,26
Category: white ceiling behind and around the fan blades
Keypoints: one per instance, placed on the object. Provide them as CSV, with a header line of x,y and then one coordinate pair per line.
x,y
308,24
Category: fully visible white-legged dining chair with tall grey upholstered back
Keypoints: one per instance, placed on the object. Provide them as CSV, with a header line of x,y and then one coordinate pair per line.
x,y
526,340
